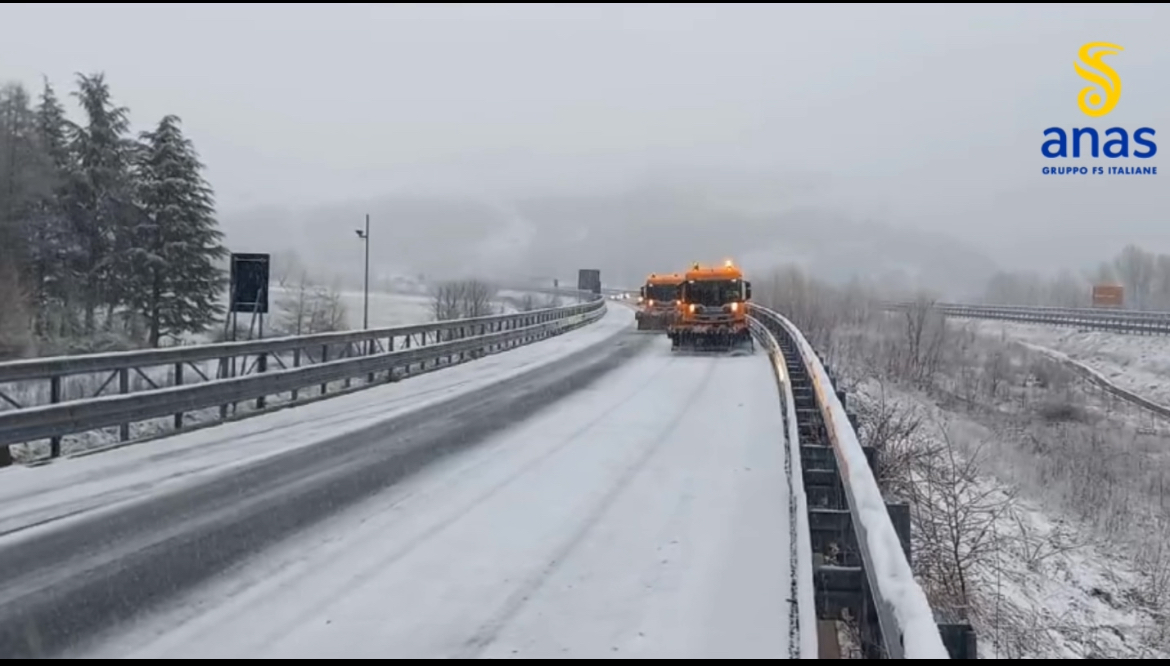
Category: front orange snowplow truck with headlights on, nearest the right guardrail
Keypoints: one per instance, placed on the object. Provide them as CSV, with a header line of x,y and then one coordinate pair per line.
x,y
712,312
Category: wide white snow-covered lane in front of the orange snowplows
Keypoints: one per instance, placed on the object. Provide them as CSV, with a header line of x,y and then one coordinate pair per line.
x,y
643,518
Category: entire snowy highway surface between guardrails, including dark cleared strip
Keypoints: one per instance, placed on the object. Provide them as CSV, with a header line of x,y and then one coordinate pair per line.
x,y
614,503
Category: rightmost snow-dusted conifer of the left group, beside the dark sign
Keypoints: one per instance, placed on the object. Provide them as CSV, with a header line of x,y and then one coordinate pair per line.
x,y
176,239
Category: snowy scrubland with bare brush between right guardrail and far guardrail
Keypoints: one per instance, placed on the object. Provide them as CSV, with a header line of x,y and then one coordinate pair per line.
x,y
1063,490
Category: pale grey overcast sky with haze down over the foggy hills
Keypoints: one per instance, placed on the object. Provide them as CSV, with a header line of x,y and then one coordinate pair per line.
x,y
510,122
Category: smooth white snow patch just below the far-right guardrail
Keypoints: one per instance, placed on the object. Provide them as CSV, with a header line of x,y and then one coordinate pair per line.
x,y
1137,363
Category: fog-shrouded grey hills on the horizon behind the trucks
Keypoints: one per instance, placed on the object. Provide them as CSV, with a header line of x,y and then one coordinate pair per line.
x,y
660,224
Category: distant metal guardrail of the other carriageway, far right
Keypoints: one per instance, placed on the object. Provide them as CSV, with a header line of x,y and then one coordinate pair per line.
x,y
1099,319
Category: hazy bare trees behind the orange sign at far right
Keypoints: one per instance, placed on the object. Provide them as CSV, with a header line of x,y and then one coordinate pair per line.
x,y
1145,276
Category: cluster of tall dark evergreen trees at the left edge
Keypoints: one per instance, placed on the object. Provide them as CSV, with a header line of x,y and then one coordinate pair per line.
x,y
105,236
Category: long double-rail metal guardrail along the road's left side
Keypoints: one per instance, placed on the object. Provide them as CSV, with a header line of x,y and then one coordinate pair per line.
x,y
378,355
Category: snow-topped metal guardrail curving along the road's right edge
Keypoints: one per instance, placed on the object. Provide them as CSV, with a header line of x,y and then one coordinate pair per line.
x,y
906,621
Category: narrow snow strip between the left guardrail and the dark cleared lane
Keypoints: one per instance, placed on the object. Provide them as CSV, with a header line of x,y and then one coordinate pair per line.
x,y
72,486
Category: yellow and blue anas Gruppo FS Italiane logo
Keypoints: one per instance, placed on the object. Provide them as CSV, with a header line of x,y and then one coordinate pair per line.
x,y
1098,101
